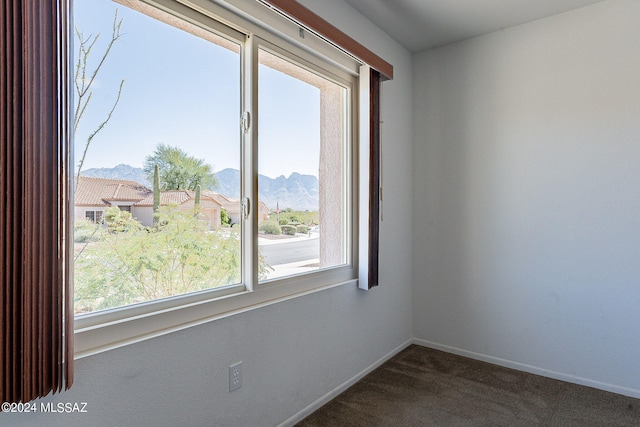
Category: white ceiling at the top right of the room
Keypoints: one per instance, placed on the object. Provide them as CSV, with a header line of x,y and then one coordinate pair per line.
x,y
423,24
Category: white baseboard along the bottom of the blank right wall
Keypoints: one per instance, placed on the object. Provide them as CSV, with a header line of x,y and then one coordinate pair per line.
x,y
530,369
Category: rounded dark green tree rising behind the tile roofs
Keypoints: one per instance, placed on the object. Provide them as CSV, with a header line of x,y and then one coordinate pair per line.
x,y
179,170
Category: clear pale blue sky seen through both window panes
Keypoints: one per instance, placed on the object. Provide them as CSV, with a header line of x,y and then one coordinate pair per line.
x,y
184,91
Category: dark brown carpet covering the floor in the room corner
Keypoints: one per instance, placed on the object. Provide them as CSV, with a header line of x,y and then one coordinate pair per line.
x,y
425,387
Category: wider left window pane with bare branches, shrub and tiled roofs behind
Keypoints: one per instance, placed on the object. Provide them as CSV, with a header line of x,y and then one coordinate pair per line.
x,y
179,109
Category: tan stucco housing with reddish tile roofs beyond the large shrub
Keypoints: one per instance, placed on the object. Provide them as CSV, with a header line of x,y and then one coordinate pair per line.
x,y
95,195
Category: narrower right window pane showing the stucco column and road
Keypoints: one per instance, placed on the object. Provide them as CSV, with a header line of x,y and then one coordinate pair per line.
x,y
302,168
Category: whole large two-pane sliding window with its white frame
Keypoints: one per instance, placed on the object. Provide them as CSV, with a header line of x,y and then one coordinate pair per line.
x,y
233,149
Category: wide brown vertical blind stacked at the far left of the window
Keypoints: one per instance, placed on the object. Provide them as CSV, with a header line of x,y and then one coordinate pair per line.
x,y
36,320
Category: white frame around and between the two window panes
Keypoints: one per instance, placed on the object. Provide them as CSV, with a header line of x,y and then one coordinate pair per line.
x,y
256,24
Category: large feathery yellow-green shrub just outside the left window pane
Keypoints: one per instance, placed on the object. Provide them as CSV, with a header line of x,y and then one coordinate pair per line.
x,y
134,264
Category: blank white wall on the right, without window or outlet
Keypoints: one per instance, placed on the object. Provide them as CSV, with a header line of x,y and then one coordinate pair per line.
x,y
527,201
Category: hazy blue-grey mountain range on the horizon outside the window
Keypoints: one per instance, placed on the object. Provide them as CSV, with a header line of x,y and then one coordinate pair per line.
x,y
298,192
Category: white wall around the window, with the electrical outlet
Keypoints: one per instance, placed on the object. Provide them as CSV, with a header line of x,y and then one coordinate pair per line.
x,y
293,352
